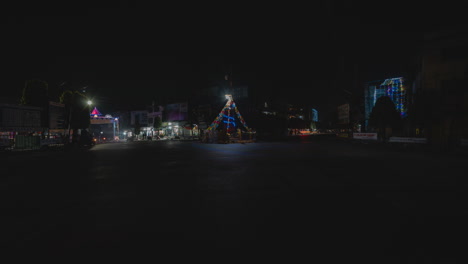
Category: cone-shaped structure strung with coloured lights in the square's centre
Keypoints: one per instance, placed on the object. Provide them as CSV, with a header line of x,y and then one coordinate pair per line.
x,y
230,120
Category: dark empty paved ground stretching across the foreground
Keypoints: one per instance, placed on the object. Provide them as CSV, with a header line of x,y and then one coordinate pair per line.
x,y
316,198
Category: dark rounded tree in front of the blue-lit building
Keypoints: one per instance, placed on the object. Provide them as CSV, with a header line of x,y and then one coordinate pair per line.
x,y
384,117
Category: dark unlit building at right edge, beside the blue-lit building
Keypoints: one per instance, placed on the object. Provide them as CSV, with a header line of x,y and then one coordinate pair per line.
x,y
439,109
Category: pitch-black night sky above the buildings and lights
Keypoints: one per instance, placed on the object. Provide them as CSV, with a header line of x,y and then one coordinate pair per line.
x,y
132,51
